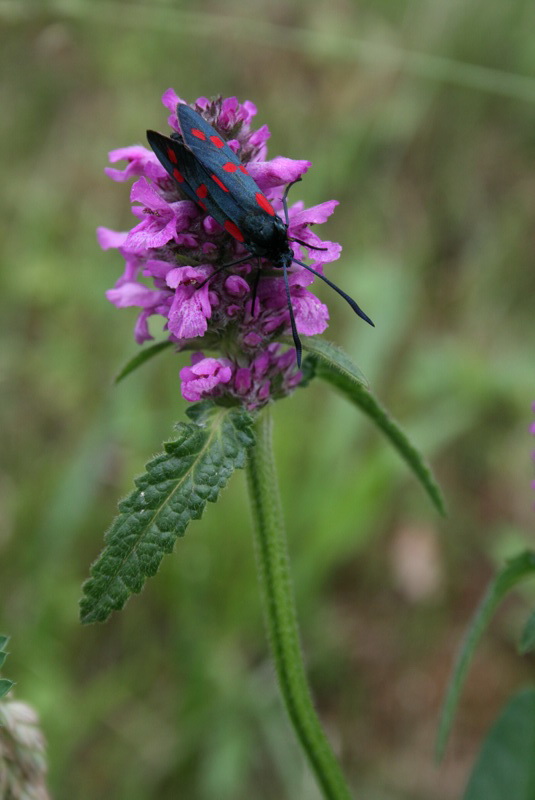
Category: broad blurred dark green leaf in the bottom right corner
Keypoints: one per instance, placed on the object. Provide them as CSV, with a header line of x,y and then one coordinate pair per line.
x,y
506,764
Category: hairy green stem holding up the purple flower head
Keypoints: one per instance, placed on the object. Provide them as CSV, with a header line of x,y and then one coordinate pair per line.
x,y
279,608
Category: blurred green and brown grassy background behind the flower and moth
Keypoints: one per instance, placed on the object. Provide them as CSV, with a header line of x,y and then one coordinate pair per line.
x,y
419,116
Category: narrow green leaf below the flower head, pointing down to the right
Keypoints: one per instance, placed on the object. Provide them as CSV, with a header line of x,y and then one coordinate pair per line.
x,y
335,367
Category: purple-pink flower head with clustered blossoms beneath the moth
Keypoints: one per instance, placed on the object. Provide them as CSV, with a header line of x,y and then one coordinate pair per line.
x,y
174,250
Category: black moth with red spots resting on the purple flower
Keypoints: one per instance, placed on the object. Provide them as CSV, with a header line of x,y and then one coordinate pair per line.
x,y
211,174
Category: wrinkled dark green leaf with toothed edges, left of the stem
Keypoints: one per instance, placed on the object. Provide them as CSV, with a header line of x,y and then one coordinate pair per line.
x,y
174,490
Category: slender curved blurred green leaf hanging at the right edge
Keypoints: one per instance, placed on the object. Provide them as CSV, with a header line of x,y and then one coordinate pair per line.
x,y
515,570
